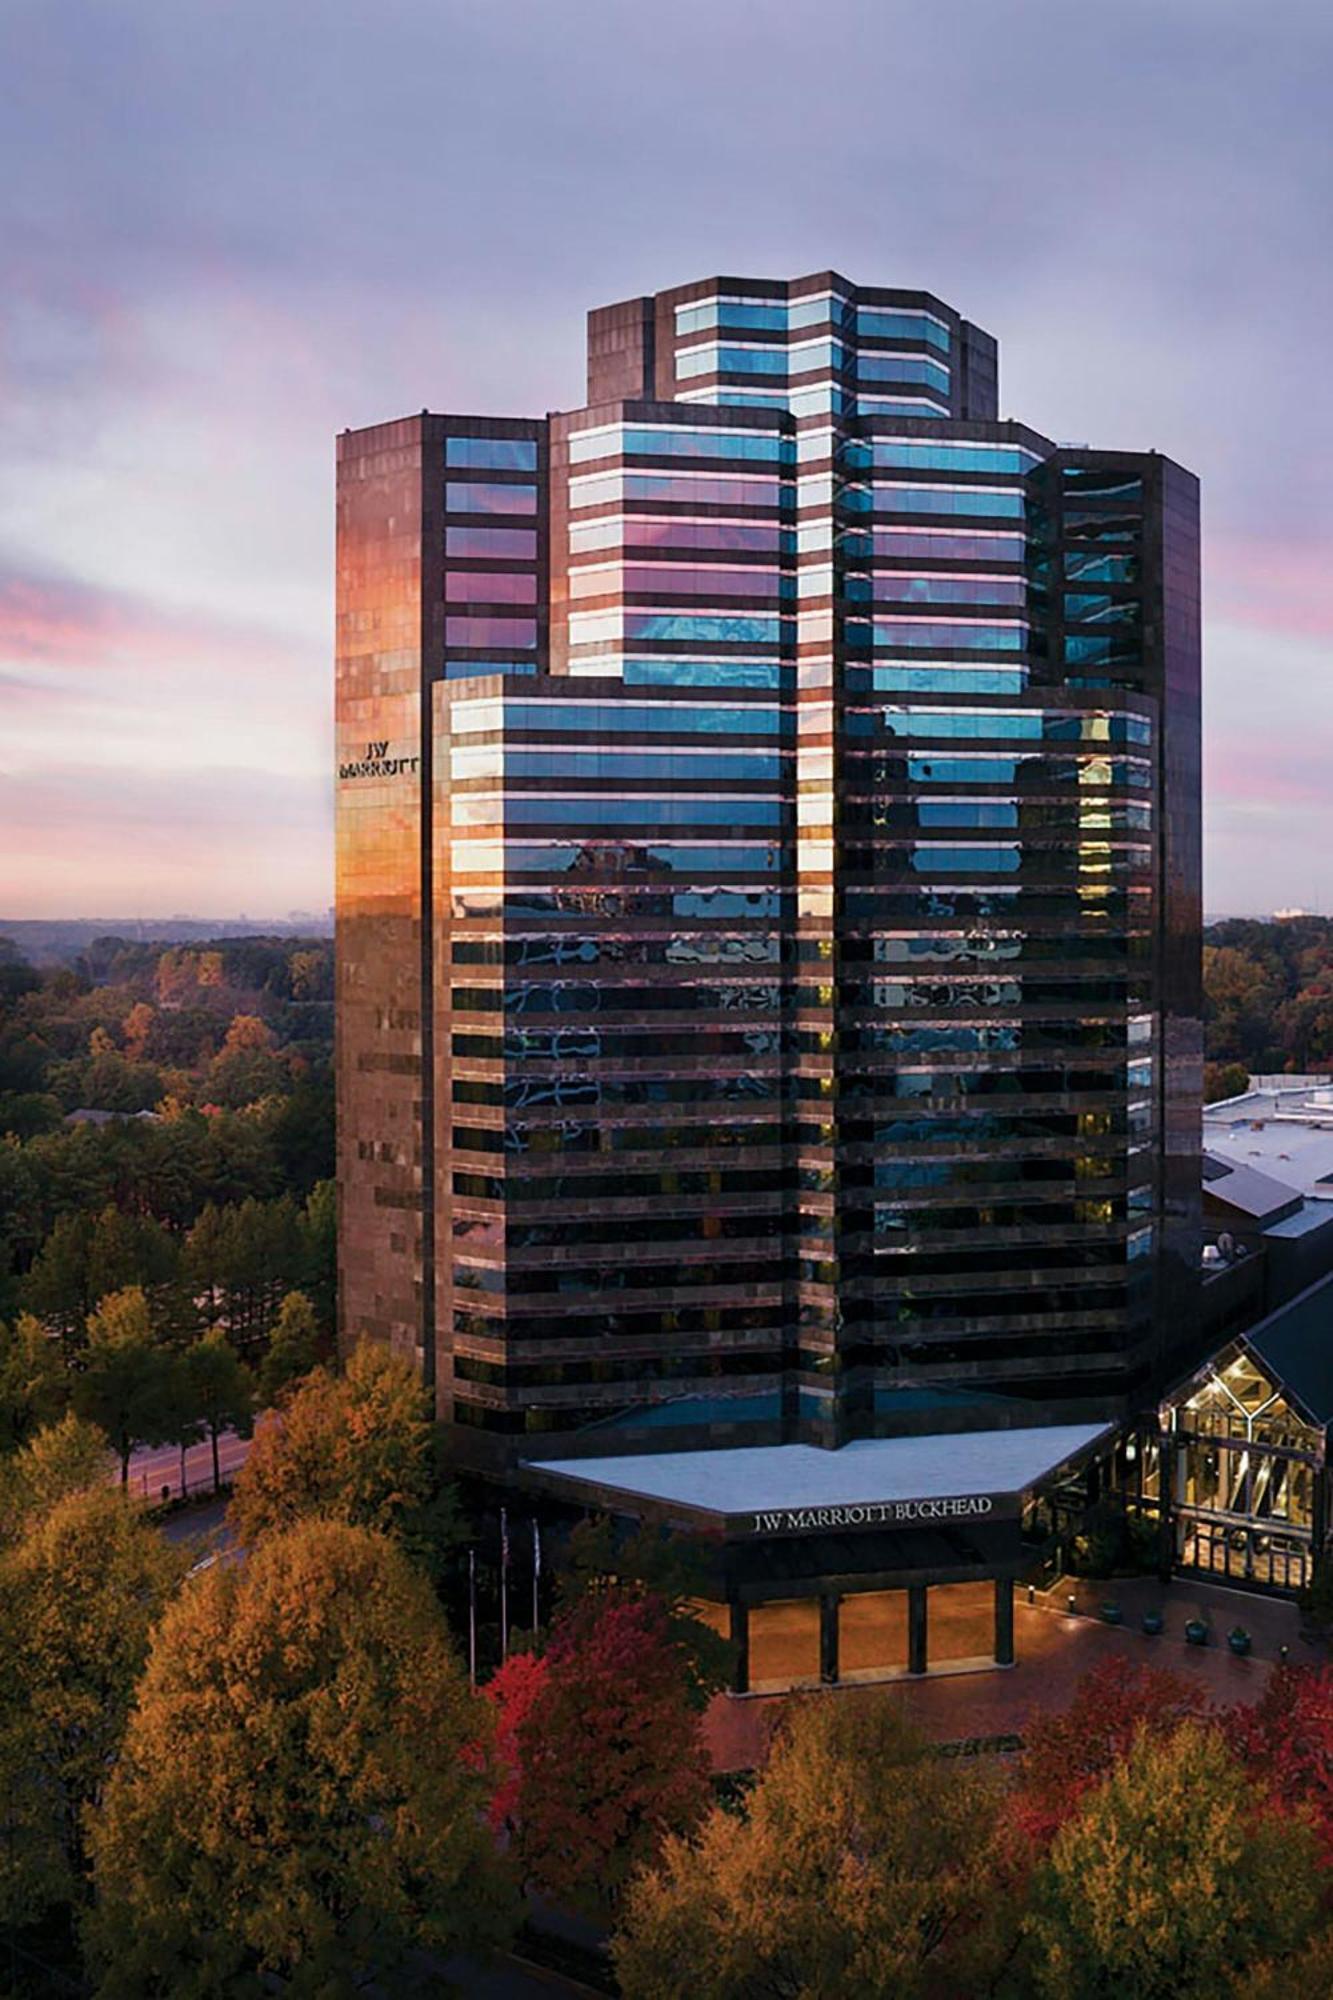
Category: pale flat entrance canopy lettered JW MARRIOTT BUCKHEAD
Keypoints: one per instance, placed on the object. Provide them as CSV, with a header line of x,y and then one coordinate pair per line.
x,y
800,1489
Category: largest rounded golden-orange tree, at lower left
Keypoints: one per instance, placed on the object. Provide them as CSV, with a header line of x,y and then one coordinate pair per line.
x,y
299,1799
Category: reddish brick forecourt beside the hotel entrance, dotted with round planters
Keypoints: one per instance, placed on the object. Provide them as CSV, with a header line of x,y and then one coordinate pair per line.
x,y
1056,1651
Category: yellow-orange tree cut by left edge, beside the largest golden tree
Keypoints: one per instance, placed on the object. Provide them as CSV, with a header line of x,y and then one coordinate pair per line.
x,y
81,1593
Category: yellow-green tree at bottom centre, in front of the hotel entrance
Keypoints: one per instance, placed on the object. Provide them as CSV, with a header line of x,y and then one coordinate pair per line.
x,y
864,1865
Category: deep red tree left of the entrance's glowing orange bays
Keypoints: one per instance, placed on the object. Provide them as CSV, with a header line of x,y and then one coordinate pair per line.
x,y
611,1755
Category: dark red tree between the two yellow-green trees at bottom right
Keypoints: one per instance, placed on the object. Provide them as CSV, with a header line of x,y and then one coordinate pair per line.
x,y
1076,1749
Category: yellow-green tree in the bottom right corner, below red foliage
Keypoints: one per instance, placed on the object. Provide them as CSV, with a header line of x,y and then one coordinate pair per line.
x,y
1172,1879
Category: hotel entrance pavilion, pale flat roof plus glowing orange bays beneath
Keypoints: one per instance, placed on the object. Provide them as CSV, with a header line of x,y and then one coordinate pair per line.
x,y
890,1555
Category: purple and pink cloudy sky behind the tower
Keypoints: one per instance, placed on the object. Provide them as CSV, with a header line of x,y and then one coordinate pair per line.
x,y
233,229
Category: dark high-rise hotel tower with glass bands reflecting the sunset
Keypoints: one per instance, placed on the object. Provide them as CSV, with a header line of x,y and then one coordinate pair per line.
x,y
768,895
